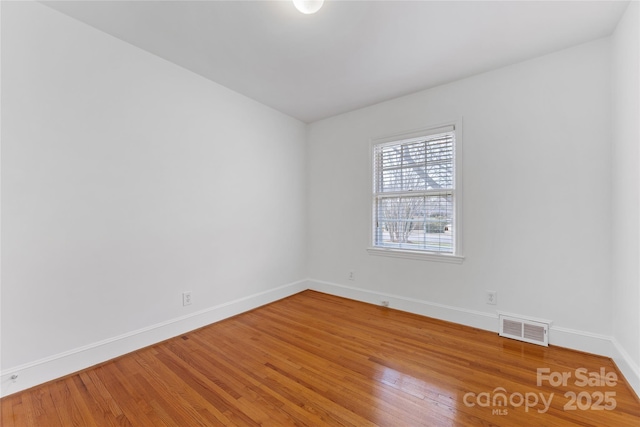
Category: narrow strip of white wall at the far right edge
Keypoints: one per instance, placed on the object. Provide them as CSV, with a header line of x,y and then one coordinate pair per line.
x,y
626,191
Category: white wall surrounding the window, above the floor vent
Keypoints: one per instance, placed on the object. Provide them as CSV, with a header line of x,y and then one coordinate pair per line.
x,y
536,185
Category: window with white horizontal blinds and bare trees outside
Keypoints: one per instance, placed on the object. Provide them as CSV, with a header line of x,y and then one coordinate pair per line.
x,y
415,195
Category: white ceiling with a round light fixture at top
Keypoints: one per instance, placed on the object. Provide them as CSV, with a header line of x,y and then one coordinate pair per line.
x,y
351,53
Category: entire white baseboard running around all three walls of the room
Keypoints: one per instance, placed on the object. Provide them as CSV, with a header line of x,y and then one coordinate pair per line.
x,y
50,368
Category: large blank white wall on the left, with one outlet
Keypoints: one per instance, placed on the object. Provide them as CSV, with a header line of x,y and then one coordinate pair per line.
x,y
127,180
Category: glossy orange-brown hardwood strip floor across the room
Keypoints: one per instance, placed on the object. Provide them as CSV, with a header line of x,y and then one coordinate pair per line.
x,y
314,359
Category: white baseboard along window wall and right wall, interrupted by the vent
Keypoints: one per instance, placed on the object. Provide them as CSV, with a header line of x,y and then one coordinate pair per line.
x,y
563,337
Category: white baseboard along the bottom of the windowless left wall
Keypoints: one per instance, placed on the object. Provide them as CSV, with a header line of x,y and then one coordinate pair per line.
x,y
59,365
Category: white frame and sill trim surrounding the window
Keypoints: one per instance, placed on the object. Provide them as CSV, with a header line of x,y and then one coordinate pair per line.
x,y
418,254
